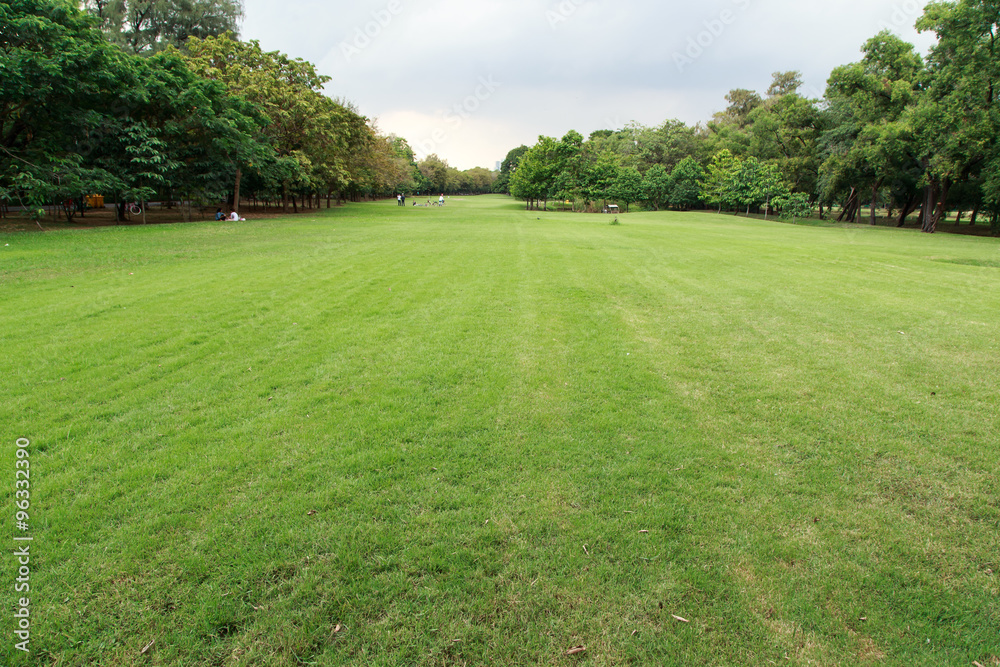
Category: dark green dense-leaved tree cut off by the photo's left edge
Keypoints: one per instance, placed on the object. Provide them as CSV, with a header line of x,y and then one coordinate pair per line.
x,y
61,85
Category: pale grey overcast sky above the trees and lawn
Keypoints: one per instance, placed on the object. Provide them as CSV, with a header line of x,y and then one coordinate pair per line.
x,y
472,79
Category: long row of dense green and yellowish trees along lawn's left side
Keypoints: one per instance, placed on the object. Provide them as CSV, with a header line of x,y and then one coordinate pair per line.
x,y
158,99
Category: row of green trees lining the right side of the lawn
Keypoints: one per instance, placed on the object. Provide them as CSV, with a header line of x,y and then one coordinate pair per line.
x,y
895,131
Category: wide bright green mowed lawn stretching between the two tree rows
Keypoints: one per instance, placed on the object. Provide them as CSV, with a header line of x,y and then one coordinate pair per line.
x,y
484,436
